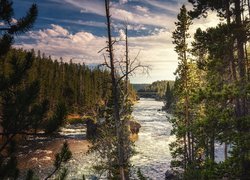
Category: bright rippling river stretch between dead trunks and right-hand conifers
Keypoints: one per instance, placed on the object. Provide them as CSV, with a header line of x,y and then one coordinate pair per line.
x,y
153,156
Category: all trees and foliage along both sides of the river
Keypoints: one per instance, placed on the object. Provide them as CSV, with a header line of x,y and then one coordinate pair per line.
x,y
209,98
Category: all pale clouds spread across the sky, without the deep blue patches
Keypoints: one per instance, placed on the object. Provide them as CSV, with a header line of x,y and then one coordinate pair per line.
x,y
153,37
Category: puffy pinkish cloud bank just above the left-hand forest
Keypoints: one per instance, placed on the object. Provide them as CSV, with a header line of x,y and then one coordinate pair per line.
x,y
58,42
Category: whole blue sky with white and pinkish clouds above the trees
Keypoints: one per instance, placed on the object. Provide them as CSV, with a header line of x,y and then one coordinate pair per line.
x,y
76,29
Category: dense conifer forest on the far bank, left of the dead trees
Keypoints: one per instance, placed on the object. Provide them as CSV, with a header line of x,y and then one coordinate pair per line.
x,y
84,90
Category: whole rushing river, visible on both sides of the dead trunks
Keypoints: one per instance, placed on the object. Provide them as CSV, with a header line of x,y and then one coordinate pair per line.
x,y
153,156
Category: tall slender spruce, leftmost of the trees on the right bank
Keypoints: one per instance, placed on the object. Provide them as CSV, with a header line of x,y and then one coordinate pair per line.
x,y
180,36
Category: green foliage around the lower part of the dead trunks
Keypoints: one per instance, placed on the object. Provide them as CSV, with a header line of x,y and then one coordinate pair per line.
x,y
105,146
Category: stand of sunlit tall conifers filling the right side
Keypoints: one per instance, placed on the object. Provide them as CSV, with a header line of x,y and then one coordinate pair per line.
x,y
211,93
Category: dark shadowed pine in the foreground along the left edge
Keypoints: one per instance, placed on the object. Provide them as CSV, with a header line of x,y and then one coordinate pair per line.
x,y
20,111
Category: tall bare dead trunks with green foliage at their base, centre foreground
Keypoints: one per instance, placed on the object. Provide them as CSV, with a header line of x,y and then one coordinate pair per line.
x,y
119,75
